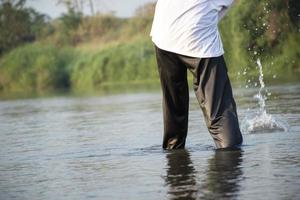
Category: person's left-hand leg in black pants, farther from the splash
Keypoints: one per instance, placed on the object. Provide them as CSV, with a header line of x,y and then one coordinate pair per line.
x,y
173,77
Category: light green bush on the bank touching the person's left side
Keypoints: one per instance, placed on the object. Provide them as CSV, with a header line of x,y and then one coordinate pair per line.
x,y
124,63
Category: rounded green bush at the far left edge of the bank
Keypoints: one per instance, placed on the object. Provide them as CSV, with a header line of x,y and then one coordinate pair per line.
x,y
35,68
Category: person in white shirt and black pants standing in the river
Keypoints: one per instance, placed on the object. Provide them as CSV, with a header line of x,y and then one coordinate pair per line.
x,y
186,37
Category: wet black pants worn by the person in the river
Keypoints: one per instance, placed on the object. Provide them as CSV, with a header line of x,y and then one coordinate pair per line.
x,y
214,94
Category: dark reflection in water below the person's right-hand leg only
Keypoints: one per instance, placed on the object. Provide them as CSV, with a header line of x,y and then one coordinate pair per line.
x,y
223,176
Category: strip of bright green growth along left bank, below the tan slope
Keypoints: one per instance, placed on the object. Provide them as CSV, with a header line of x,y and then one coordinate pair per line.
x,y
43,68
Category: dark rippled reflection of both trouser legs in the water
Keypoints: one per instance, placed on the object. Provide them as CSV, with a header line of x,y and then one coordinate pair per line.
x,y
221,180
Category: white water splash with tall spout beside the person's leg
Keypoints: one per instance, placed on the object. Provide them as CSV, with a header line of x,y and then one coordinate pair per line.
x,y
261,121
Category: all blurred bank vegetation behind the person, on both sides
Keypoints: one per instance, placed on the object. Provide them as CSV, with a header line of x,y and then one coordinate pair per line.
x,y
87,52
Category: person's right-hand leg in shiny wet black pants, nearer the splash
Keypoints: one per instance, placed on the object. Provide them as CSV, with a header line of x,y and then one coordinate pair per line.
x,y
214,93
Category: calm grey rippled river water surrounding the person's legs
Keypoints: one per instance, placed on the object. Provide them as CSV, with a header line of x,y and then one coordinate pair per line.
x,y
109,147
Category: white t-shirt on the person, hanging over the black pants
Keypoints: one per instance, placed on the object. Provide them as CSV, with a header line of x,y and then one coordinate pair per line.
x,y
189,27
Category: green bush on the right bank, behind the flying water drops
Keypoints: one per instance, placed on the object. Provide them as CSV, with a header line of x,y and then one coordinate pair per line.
x,y
270,33
